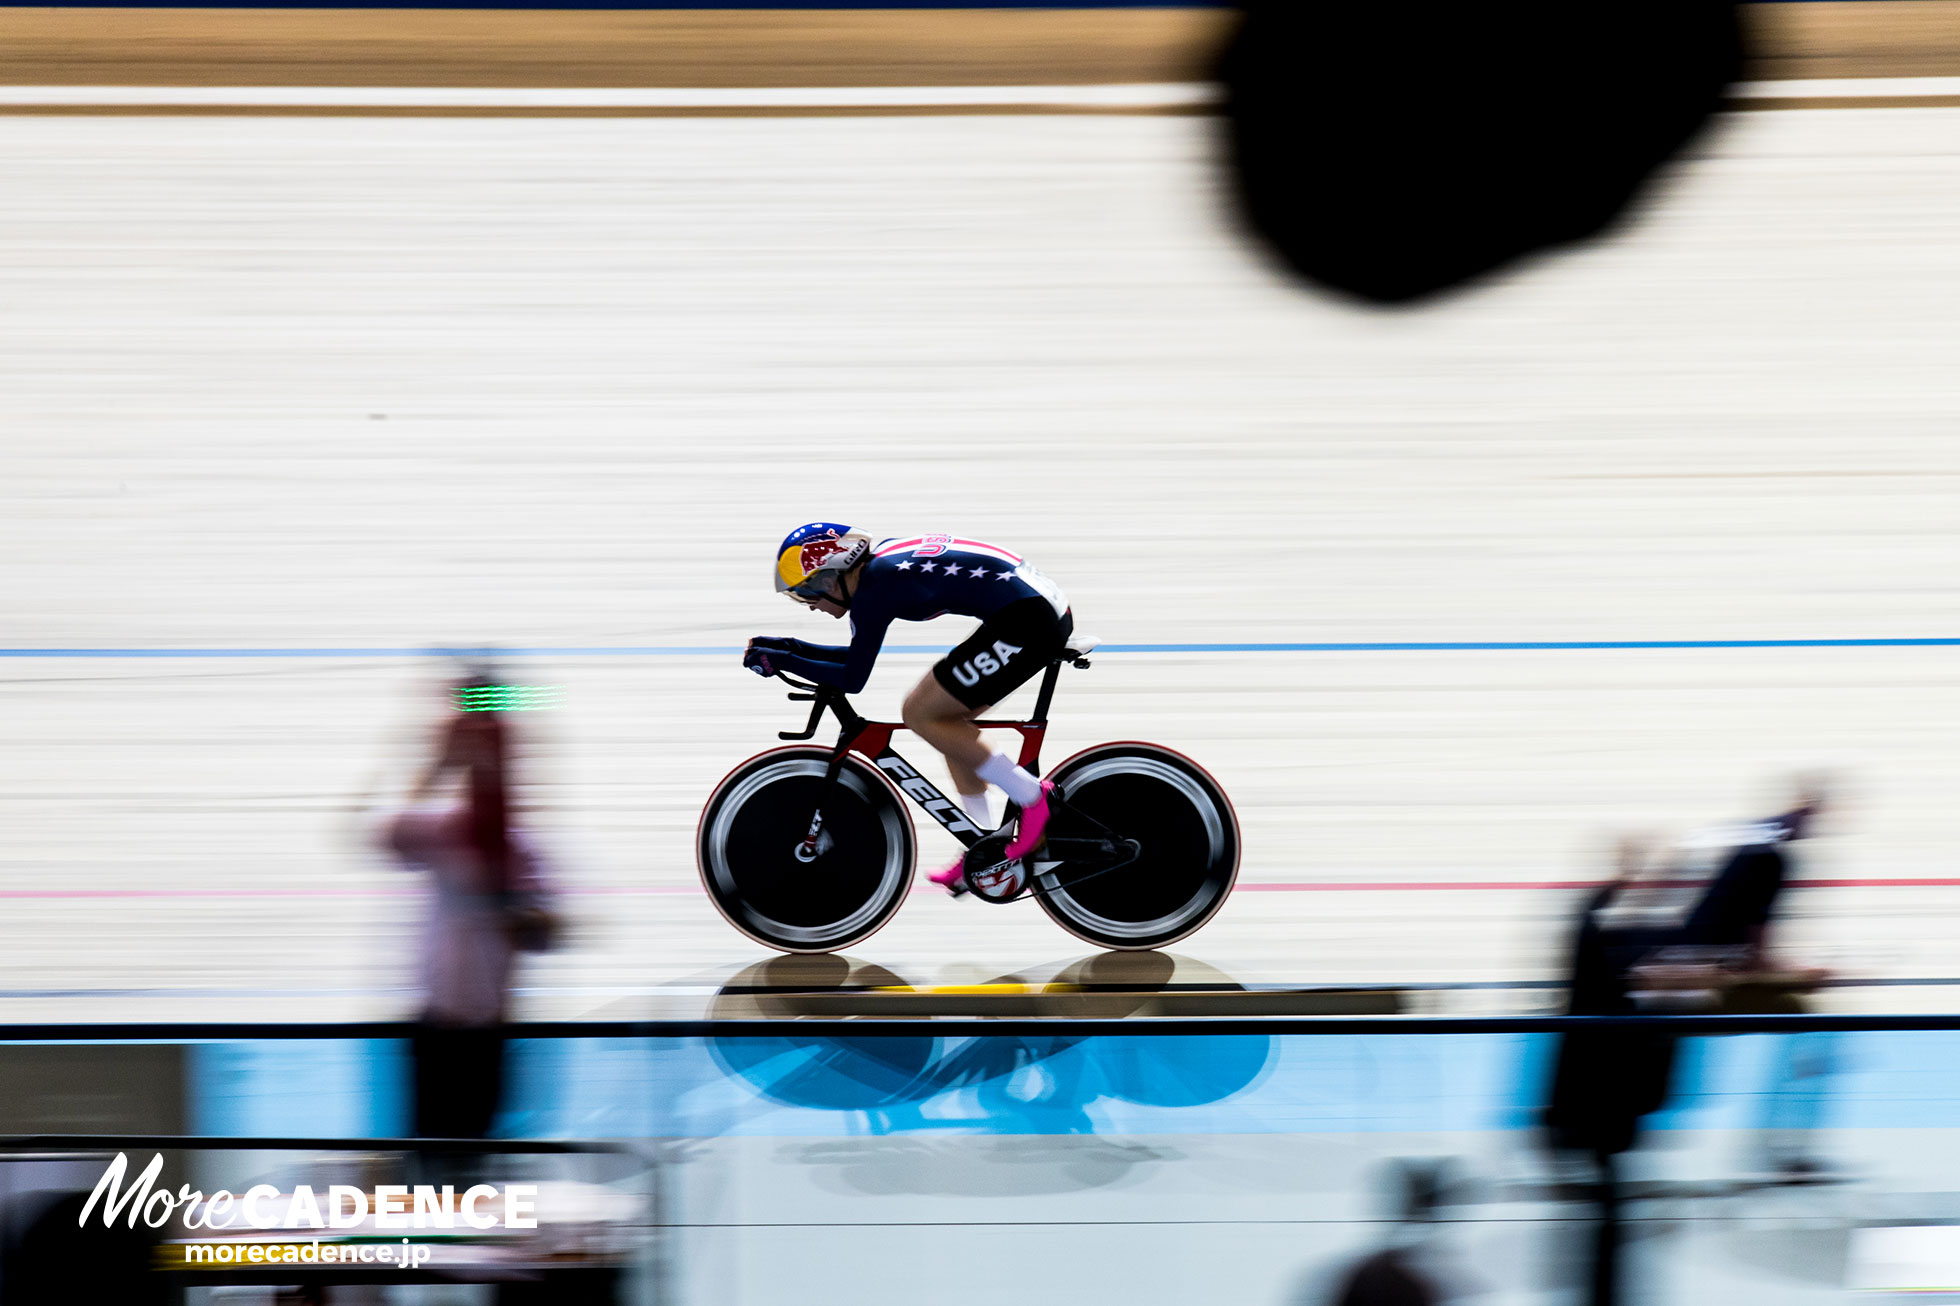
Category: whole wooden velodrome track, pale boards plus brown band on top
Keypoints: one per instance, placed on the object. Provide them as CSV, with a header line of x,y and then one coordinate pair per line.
x,y
320,391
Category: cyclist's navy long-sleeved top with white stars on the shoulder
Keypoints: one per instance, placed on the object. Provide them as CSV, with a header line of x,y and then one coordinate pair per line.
x,y
914,581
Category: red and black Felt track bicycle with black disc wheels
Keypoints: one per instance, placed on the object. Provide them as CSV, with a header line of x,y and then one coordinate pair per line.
x,y
810,850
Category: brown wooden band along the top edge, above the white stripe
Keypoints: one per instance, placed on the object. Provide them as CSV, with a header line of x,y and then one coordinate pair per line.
x,y
787,48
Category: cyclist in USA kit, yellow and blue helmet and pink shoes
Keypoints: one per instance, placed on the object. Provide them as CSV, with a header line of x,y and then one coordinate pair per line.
x,y
1024,627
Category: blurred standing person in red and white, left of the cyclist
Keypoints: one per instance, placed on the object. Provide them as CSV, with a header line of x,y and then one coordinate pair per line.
x,y
489,903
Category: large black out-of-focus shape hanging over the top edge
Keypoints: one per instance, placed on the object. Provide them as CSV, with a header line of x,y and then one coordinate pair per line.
x,y
1395,152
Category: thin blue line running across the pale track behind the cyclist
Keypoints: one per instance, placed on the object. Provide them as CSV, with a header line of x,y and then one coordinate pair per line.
x,y
730,650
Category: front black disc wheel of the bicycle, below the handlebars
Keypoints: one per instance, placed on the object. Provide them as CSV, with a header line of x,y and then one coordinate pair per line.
x,y
750,850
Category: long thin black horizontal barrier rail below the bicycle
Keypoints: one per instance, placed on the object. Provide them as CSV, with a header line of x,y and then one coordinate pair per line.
x,y
971,1027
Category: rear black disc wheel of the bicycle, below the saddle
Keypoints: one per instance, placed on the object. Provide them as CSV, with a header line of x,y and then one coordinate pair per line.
x,y
1189,846
